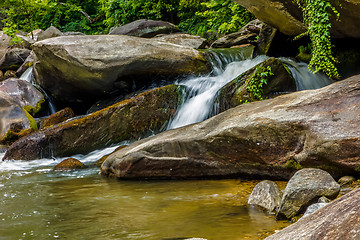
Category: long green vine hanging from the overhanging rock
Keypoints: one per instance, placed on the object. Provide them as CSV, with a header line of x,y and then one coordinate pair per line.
x,y
316,15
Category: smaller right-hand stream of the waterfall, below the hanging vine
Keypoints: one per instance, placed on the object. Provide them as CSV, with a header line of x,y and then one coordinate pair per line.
x,y
304,78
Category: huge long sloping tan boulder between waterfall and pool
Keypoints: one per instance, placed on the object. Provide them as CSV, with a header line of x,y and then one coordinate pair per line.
x,y
265,139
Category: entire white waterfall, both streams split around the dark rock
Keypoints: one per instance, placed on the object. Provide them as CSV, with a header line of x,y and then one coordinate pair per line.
x,y
200,92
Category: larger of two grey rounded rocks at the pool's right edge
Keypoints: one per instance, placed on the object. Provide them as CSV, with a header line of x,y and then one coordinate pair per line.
x,y
304,188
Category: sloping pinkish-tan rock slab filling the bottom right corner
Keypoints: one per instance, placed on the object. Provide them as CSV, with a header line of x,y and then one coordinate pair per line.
x,y
337,220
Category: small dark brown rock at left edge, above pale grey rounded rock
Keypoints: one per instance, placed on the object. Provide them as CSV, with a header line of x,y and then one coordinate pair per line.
x,y
14,58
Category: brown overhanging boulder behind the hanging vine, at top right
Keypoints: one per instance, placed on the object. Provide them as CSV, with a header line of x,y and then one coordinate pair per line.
x,y
286,16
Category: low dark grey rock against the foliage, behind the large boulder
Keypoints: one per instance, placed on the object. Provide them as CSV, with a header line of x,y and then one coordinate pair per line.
x,y
145,28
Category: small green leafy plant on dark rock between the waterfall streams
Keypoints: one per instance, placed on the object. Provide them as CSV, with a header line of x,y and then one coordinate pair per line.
x,y
258,81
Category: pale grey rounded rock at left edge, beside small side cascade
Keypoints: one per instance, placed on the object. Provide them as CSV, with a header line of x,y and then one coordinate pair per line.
x,y
22,92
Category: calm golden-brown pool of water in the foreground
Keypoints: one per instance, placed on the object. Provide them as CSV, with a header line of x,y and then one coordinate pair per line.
x,y
37,203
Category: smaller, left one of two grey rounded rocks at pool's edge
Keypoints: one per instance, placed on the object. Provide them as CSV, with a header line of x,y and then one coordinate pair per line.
x,y
266,194
